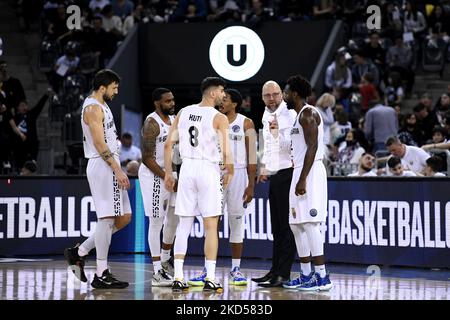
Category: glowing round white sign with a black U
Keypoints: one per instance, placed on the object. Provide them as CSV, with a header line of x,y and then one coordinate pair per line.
x,y
236,53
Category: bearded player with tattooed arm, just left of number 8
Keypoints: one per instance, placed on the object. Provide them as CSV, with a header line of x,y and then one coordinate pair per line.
x,y
156,198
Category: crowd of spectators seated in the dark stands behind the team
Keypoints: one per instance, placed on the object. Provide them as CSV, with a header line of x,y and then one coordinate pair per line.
x,y
365,85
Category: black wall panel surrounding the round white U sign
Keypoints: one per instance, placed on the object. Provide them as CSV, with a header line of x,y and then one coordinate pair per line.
x,y
177,56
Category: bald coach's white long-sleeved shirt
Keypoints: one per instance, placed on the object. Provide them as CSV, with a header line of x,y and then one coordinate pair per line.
x,y
277,151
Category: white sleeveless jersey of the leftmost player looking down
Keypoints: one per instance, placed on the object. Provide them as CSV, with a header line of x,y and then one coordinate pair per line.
x,y
109,131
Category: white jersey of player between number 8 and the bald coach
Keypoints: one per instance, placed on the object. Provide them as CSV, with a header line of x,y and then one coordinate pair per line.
x,y
237,140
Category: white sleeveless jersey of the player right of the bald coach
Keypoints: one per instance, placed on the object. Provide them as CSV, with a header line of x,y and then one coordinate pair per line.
x,y
298,140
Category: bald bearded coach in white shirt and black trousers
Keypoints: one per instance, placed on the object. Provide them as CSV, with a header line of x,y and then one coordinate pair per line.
x,y
276,163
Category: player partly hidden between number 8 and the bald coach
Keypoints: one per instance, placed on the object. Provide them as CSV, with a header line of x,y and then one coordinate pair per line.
x,y
239,193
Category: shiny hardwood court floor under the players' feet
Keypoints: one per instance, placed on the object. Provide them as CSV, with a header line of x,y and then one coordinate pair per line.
x,y
50,279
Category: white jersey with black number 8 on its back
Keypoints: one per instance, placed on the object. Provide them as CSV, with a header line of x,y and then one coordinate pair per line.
x,y
198,138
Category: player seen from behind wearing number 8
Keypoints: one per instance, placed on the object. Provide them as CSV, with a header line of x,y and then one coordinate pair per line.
x,y
202,134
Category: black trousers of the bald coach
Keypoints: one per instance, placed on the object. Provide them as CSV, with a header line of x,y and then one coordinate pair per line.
x,y
284,248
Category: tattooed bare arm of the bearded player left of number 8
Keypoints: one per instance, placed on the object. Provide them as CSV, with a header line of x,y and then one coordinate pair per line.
x,y
149,133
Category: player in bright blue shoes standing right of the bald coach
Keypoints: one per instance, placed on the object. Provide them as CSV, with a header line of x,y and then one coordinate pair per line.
x,y
308,193
